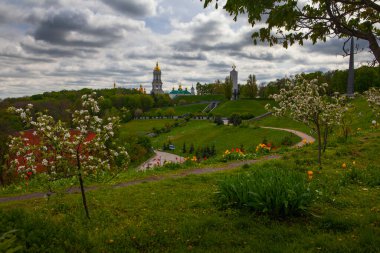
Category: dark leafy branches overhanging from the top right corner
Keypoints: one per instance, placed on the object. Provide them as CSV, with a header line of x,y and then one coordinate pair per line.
x,y
293,21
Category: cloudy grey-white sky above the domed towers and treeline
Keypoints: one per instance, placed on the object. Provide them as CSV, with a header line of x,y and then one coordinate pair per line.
x,y
50,45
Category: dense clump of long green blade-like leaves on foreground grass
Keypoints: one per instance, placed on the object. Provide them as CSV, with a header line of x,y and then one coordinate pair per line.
x,y
271,190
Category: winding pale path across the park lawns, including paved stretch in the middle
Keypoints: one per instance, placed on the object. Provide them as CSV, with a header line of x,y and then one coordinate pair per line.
x,y
169,157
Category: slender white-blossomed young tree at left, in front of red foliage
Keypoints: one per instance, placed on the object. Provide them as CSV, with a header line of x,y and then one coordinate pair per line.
x,y
63,152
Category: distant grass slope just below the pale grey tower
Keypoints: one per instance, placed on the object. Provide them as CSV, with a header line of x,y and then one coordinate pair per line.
x,y
256,107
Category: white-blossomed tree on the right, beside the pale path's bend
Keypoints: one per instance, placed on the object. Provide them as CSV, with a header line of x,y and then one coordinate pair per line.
x,y
306,102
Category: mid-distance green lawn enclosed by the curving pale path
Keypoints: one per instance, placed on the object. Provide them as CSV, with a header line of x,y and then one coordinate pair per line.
x,y
202,133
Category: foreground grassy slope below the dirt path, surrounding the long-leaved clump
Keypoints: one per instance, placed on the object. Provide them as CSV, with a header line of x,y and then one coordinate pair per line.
x,y
177,215
